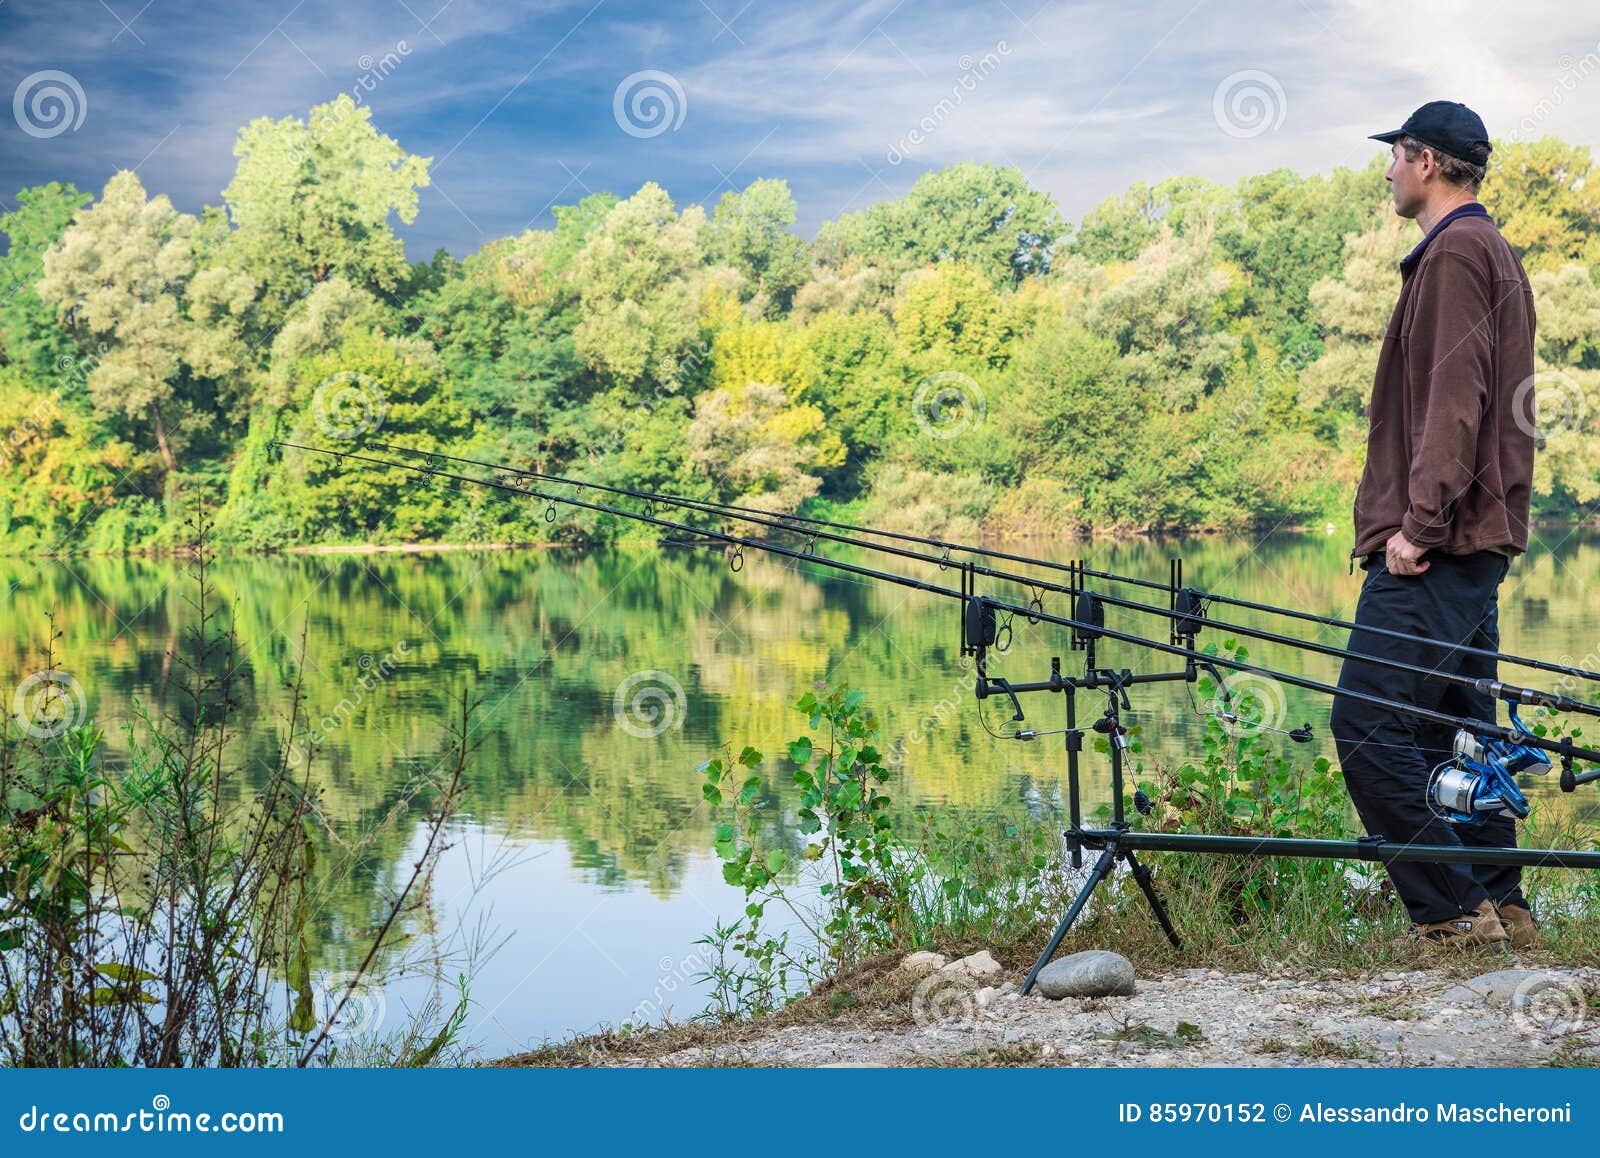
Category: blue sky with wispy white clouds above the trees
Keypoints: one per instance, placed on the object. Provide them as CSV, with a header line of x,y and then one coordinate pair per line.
x,y
518,100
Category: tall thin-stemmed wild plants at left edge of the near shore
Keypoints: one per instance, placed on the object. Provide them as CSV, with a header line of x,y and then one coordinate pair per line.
x,y
162,914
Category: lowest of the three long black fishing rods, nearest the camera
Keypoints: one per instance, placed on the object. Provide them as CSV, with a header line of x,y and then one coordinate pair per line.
x,y
988,605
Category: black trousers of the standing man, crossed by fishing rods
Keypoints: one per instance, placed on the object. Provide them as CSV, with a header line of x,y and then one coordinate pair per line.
x,y
1388,756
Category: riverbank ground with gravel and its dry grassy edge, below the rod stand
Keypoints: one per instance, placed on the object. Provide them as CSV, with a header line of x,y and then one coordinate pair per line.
x,y
1478,1012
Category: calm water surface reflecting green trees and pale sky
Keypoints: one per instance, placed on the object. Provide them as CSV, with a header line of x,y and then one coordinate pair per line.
x,y
622,879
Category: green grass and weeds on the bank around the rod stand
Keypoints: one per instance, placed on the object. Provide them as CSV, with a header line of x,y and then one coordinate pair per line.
x,y
1281,917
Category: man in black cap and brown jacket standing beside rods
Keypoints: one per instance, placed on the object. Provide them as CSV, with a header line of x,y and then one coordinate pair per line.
x,y
1441,513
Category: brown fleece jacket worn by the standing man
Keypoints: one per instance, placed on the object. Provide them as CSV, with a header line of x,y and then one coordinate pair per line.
x,y
1450,445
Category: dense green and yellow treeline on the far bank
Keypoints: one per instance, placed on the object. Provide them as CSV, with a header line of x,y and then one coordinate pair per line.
x,y
961,361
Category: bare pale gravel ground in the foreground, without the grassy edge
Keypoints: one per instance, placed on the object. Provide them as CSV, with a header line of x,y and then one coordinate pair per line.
x,y
1209,1018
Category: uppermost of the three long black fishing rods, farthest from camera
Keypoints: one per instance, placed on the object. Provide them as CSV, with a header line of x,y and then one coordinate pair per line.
x,y
1198,597
